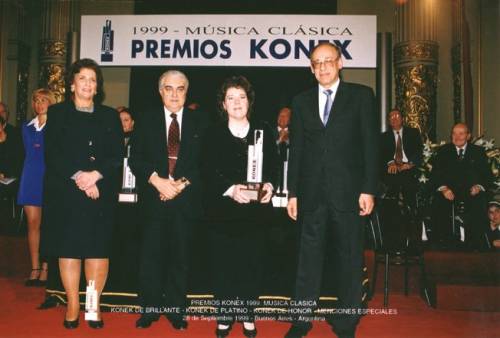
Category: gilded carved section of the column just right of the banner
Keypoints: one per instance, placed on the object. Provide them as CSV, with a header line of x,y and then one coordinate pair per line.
x,y
416,82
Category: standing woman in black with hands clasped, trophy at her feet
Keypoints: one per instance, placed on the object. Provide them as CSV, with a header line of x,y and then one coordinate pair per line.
x,y
84,146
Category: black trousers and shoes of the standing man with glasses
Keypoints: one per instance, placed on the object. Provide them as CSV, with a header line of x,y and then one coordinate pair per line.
x,y
346,242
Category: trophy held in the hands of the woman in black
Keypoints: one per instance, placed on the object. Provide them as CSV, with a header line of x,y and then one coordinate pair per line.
x,y
254,185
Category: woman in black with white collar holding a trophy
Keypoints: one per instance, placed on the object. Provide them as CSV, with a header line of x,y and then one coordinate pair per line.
x,y
237,225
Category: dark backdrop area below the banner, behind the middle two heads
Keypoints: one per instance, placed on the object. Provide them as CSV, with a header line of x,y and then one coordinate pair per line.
x,y
273,87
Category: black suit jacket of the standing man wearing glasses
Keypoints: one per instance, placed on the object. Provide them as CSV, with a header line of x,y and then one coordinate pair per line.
x,y
341,159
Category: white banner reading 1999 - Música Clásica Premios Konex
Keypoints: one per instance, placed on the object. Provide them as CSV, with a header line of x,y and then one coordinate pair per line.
x,y
225,40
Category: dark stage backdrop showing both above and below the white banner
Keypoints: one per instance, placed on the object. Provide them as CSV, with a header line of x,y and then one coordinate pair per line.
x,y
274,86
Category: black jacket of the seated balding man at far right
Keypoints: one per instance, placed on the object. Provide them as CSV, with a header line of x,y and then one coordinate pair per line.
x,y
459,175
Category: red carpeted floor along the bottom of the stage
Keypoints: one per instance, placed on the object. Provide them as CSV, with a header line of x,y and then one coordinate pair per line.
x,y
410,315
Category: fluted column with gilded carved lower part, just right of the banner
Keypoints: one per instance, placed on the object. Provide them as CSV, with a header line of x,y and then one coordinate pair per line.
x,y
416,64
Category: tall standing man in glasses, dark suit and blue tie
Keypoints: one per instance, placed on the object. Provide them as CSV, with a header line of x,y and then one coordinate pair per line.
x,y
332,183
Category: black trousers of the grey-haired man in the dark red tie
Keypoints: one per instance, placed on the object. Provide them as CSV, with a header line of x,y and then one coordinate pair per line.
x,y
164,261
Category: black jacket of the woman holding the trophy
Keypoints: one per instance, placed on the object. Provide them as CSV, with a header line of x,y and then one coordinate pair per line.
x,y
224,163
